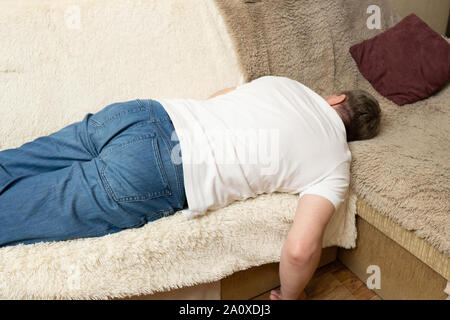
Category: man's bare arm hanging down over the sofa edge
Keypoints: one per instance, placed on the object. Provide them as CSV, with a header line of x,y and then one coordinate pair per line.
x,y
303,246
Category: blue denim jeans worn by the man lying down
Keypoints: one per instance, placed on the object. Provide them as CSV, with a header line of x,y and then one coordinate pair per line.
x,y
109,172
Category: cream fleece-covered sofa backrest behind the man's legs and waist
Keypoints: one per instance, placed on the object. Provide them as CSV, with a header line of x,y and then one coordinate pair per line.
x,y
62,59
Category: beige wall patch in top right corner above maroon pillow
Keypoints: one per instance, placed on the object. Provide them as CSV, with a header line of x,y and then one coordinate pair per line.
x,y
433,12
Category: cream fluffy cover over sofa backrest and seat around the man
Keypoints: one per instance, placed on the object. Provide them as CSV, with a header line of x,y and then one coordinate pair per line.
x,y
54,68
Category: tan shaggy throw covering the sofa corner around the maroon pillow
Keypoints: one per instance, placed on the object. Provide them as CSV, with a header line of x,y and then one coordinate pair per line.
x,y
405,172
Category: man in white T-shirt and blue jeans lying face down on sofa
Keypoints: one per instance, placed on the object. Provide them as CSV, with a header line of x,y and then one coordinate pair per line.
x,y
141,160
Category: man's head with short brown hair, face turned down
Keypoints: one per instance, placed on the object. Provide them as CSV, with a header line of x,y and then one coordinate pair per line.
x,y
360,113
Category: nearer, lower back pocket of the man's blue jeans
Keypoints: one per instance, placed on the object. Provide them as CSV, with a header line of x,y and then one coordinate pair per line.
x,y
133,169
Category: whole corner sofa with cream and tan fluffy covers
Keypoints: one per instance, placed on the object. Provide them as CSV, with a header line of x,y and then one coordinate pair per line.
x,y
59,61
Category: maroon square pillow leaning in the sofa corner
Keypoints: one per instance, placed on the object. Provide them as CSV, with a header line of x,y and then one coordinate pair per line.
x,y
407,63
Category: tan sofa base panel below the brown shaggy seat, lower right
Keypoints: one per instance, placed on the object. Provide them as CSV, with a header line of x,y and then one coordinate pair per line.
x,y
403,276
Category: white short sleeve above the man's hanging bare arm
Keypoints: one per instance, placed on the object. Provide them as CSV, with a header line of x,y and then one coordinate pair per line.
x,y
334,186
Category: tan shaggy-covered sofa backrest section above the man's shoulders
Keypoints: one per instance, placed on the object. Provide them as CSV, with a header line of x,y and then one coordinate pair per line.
x,y
306,40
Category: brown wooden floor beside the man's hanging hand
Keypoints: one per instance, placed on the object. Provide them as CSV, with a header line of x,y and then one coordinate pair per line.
x,y
334,282
